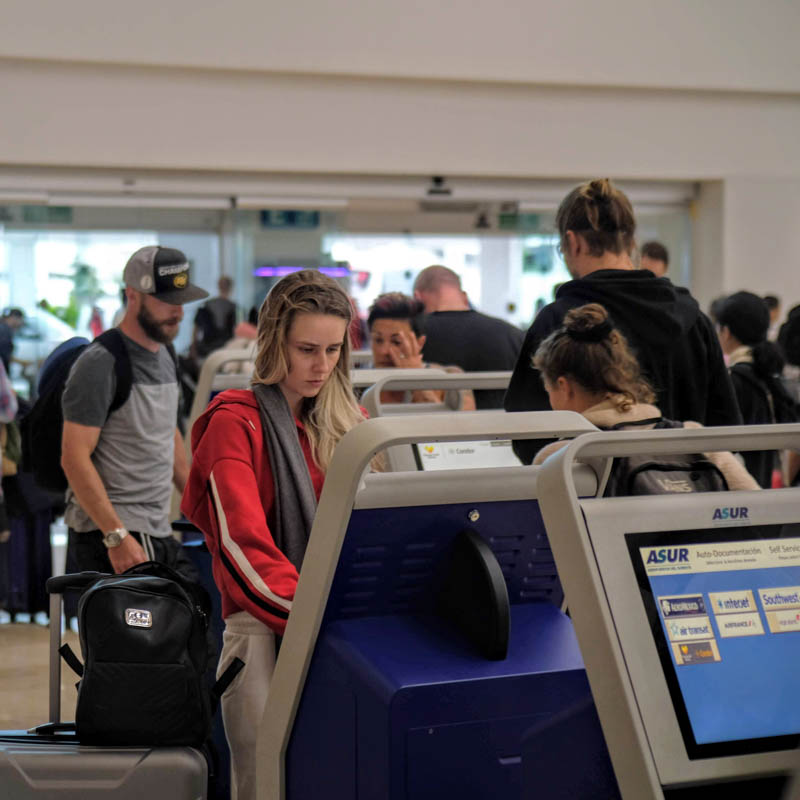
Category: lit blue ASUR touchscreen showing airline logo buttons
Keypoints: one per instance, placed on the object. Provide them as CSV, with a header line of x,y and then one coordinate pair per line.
x,y
724,611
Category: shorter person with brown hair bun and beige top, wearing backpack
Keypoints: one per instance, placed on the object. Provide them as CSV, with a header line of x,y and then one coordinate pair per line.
x,y
587,366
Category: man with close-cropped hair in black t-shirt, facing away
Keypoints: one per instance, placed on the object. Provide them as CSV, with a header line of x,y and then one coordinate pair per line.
x,y
459,335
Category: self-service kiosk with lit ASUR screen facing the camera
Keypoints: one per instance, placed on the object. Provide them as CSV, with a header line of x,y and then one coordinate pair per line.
x,y
687,610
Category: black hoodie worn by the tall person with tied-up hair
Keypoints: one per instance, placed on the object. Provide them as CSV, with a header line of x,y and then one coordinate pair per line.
x,y
674,341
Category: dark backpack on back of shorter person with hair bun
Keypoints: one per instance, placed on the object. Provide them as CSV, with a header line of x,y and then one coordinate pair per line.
x,y
672,474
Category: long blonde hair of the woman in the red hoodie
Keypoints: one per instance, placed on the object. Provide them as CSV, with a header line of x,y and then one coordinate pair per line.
x,y
334,411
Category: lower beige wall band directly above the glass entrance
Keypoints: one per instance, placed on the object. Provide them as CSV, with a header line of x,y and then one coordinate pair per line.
x,y
131,117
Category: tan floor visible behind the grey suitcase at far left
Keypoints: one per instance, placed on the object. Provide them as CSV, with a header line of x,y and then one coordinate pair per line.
x,y
24,677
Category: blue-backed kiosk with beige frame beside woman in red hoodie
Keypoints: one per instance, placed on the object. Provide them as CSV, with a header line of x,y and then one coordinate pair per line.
x,y
426,636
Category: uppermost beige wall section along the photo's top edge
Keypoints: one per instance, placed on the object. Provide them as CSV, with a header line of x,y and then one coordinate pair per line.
x,y
743,45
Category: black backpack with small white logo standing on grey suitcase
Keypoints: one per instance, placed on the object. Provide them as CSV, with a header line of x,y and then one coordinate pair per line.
x,y
145,653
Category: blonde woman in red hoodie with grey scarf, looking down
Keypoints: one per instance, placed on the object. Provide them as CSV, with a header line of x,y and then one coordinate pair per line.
x,y
258,465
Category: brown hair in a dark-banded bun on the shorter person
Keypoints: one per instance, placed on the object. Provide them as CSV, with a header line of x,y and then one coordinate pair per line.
x,y
590,351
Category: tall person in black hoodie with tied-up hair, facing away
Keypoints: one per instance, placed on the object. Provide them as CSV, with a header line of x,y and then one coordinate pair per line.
x,y
674,341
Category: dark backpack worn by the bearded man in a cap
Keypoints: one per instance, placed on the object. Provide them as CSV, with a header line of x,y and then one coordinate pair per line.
x,y
41,427
